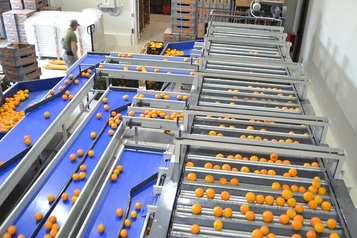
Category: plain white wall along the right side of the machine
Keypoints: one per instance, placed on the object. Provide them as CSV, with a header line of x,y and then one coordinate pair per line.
x,y
329,58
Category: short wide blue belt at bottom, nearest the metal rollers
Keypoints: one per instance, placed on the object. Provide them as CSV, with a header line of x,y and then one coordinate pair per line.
x,y
137,166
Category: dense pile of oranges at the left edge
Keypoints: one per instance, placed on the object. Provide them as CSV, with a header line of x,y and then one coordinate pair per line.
x,y
9,117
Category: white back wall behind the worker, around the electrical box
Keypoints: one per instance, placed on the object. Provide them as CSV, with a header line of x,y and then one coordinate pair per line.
x,y
117,30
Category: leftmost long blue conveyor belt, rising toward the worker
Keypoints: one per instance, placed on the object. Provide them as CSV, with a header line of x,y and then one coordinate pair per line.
x,y
36,119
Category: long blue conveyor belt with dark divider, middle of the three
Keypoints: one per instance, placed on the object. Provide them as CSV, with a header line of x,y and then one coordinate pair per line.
x,y
64,169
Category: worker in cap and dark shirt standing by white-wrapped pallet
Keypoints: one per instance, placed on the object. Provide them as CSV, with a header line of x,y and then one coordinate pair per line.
x,y
69,44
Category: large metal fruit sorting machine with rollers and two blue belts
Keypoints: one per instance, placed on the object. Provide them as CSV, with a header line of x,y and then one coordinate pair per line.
x,y
259,106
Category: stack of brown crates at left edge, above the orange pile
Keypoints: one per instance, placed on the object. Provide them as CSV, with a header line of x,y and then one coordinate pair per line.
x,y
19,62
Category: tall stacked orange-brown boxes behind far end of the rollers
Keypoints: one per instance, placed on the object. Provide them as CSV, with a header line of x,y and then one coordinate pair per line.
x,y
188,18
